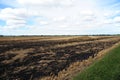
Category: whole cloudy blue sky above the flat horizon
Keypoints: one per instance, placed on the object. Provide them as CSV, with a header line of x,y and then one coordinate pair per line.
x,y
59,17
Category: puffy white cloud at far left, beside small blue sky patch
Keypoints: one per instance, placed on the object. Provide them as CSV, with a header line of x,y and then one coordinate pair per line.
x,y
14,17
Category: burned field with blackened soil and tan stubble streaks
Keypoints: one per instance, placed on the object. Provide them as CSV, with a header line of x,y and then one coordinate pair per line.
x,y
34,58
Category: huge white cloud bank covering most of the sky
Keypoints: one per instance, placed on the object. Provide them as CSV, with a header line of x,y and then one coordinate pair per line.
x,y
59,16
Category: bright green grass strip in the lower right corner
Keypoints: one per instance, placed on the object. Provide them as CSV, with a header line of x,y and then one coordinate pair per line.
x,y
108,68
